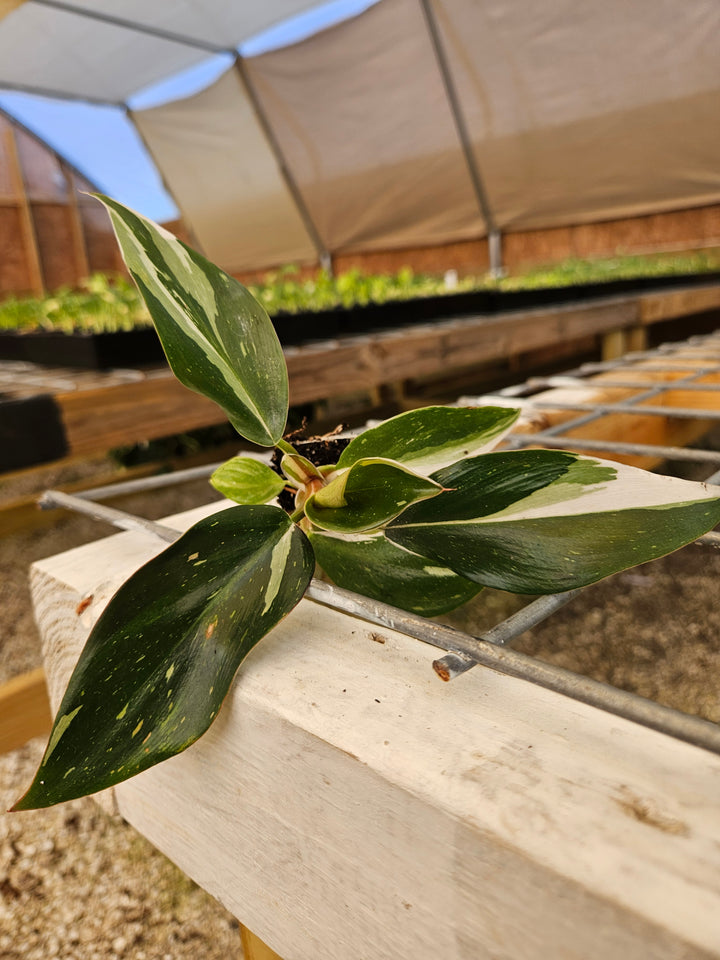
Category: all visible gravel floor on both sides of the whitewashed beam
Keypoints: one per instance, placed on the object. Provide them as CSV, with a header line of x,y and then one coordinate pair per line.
x,y
76,883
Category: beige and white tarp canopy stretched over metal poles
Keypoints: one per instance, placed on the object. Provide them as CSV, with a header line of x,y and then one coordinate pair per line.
x,y
414,123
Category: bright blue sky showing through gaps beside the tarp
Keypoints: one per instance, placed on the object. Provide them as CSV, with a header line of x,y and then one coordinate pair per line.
x,y
102,143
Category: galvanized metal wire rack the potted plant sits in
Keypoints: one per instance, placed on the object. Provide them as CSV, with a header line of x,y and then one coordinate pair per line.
x,y
686,363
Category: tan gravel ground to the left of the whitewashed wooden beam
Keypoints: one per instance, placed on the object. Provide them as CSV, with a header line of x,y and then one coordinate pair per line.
x,y
75,882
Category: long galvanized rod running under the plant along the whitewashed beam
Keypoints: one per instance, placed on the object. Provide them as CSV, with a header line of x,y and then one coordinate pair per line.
x,y
692,730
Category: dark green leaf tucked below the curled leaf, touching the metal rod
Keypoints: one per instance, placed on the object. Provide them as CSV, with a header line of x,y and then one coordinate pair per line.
x,y
371,565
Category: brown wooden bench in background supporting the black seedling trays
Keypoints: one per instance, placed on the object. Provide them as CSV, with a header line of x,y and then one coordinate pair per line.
x,y
87,413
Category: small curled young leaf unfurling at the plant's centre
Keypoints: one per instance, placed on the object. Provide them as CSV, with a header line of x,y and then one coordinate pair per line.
x,y
367,495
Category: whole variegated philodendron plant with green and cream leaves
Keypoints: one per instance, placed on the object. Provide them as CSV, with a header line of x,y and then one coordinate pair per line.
x,y
415,512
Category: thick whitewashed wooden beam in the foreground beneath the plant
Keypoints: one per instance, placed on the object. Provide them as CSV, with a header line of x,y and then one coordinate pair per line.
x,y
362,808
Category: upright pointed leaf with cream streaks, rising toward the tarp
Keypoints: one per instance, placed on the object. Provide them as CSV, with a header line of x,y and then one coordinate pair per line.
x,y
218,339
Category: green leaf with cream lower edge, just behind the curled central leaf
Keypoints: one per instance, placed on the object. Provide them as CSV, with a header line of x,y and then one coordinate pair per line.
x,y
433,437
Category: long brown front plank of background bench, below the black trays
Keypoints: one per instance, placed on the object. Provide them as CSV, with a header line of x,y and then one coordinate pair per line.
x,y
98,418
